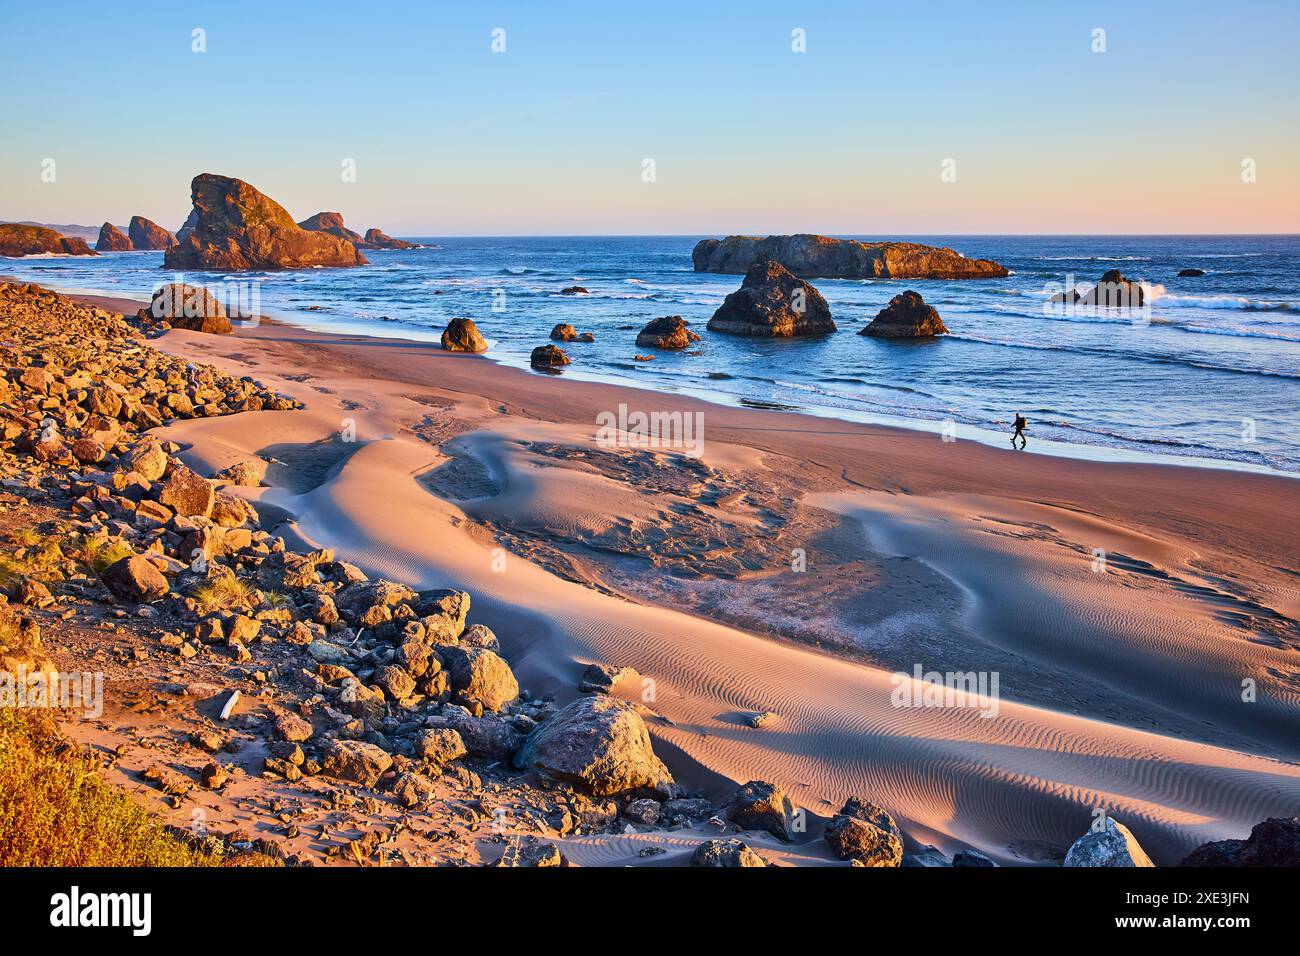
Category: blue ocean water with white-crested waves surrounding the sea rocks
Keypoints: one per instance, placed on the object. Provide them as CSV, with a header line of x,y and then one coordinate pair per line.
x,y
1212,373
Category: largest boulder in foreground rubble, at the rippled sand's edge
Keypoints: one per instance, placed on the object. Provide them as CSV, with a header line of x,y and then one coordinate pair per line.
x,y
597,743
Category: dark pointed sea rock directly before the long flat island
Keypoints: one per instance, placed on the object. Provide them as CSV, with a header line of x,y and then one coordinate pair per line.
x,y
773,304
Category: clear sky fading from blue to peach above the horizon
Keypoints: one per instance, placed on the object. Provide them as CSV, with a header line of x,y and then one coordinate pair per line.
x,y
747,136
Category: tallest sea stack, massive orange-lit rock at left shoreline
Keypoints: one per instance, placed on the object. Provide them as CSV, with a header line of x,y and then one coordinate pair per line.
x,y
235,228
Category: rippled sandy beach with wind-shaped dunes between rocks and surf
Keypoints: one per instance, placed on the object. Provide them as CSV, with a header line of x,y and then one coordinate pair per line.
x,y
792,569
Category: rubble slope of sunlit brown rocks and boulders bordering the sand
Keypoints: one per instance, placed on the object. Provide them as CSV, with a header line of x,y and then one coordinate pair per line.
x,y
379,704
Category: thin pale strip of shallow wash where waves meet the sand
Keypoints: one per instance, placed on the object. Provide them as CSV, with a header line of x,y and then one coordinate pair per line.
x,y
965,432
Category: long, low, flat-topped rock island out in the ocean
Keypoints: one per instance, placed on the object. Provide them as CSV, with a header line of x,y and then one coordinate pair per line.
x,y
820,257
